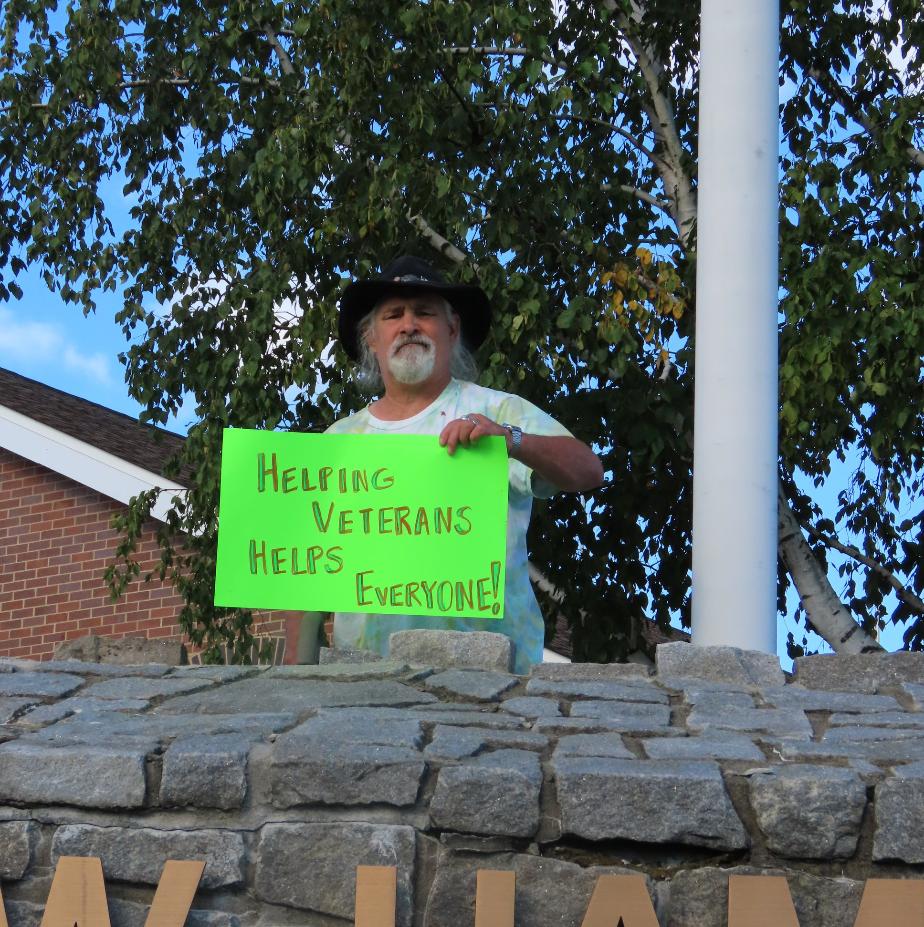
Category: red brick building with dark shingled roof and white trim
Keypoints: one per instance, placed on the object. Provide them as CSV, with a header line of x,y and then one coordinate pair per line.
x,y
67,466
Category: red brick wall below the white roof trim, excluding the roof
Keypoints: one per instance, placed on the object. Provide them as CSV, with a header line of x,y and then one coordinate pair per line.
x,y
55,543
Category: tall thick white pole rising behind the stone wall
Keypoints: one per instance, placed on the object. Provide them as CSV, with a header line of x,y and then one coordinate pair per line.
x,y
735,442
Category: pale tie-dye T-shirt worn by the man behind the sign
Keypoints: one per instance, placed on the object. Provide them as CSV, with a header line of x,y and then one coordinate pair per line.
x,y
522,620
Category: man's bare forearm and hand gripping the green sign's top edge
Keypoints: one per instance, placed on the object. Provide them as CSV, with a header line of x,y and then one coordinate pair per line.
x,y
561,460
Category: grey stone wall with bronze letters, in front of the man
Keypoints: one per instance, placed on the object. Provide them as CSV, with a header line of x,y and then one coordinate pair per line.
x,y
285,779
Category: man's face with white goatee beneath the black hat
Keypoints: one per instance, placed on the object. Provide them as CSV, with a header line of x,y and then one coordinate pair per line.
x,y
412,338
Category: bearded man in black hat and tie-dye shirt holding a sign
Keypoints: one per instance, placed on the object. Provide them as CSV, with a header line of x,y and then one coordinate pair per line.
x,y
413,333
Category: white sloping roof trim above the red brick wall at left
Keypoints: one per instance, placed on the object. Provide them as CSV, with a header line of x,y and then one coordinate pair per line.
x,y
107,474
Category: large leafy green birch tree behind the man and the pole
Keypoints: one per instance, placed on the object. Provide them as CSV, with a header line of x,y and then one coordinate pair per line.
x,y
271,151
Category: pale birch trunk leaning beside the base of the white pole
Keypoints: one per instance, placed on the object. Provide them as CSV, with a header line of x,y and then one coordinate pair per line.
x,y
829,616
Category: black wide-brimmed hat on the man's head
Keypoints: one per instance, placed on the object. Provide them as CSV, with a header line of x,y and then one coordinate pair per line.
x,y
409,274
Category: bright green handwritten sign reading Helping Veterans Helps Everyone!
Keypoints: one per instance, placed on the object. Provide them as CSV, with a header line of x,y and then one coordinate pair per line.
x,y
362,523
